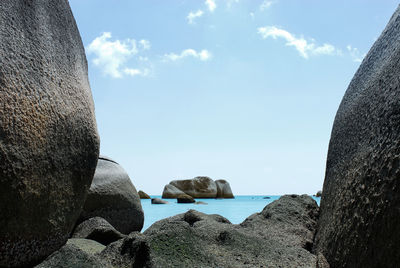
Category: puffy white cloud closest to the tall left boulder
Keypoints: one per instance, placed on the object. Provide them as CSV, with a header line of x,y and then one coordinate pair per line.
x,y
111,56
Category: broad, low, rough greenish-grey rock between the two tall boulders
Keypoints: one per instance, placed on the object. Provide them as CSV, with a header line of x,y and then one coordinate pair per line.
x,y
280,236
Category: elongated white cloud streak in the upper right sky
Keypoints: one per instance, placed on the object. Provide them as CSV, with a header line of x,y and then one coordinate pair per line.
x,y
304,47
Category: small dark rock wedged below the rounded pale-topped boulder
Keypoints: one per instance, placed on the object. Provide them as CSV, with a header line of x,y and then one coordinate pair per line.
x,y
97,229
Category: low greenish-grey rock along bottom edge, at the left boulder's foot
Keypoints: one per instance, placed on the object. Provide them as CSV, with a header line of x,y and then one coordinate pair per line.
x,y
76,253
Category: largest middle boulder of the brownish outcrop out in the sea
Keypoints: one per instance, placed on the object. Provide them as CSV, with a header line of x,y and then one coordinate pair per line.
x,y
199,187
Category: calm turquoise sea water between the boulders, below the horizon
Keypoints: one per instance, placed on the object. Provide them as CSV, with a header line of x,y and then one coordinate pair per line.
x,y
236,210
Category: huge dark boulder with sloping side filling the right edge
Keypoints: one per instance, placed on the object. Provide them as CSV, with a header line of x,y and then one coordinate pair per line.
x,y
360,216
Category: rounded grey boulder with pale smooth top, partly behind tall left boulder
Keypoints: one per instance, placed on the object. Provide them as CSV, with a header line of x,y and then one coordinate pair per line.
x,y
113,197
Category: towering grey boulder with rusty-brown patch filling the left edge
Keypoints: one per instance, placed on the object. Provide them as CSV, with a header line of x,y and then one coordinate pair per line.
x,y
48,135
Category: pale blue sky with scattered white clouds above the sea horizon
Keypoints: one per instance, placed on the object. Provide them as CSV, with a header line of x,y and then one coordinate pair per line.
x,y
242,90
